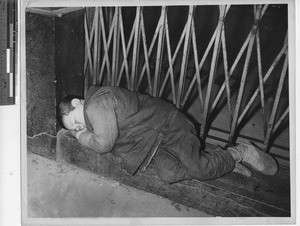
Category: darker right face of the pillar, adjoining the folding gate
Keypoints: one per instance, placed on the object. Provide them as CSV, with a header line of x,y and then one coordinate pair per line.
x,y
69,54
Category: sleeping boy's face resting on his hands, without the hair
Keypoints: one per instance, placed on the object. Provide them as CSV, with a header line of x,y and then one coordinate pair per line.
x,y
75,119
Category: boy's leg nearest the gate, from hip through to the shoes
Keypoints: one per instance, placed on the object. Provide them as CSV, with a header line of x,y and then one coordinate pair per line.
x,y
183,142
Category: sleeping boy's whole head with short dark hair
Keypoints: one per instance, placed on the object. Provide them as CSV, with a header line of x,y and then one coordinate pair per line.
x,y
71,112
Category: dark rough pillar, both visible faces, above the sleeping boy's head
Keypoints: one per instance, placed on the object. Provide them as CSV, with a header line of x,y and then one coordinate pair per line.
x,y
54,66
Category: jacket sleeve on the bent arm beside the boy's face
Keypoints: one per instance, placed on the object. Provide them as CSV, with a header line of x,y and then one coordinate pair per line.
x,y
102,118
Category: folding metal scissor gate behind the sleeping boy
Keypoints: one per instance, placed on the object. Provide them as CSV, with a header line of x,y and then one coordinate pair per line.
x,y
224,58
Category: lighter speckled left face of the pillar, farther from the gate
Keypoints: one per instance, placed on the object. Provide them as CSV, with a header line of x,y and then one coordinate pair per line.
x,y
40,74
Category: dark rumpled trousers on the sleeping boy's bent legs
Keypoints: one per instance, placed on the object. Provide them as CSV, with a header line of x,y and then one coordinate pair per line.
x,y
179,156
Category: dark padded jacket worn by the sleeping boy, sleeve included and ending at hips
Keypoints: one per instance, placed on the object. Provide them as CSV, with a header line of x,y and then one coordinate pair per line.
x,y
127,124
